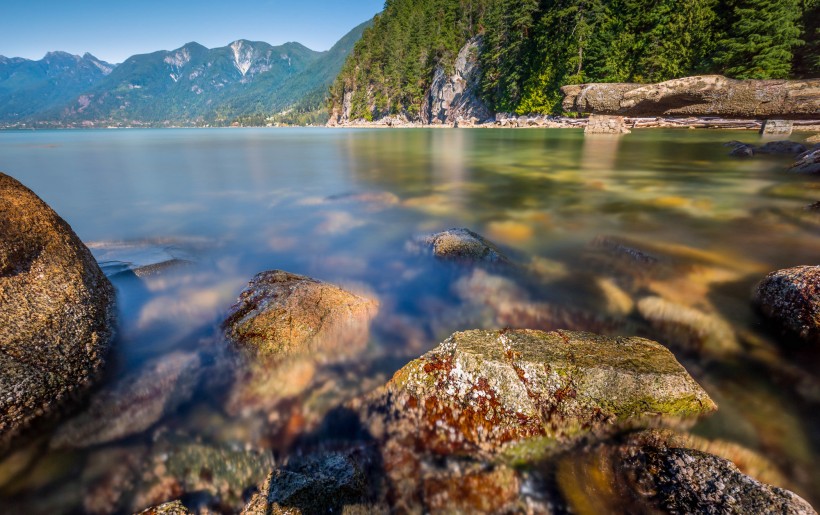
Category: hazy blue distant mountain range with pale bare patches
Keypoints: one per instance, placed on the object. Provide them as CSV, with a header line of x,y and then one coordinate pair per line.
x,y
191,85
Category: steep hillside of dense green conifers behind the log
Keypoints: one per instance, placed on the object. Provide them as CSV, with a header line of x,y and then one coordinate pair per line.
x,y
530,48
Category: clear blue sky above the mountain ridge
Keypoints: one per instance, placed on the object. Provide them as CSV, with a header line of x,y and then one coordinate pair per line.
x,y
113,30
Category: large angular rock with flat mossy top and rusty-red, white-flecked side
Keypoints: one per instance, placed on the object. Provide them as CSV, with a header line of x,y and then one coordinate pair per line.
x,y
480,392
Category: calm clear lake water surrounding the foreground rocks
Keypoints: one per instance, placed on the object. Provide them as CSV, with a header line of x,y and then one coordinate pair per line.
x,y
231,203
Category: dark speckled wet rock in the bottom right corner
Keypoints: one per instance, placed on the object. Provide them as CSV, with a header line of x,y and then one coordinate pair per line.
x,y
643,476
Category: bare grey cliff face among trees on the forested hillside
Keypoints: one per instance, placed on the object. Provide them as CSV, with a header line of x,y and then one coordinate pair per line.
x,y
455,97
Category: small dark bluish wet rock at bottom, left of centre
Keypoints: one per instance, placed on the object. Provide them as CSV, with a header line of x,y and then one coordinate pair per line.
x,y
312,484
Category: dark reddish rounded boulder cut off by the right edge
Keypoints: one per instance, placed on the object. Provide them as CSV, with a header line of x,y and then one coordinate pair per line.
x,y
790,300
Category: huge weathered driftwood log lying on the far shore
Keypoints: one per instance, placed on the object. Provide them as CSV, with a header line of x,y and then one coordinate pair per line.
x,y
707,95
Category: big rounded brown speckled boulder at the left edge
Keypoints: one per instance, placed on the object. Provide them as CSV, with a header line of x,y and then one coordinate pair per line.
x,y
56,310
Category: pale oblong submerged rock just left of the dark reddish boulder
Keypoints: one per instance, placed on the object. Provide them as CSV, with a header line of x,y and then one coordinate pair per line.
x,y
689,328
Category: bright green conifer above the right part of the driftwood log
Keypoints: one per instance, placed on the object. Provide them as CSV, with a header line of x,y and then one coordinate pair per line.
x,y
761,40
